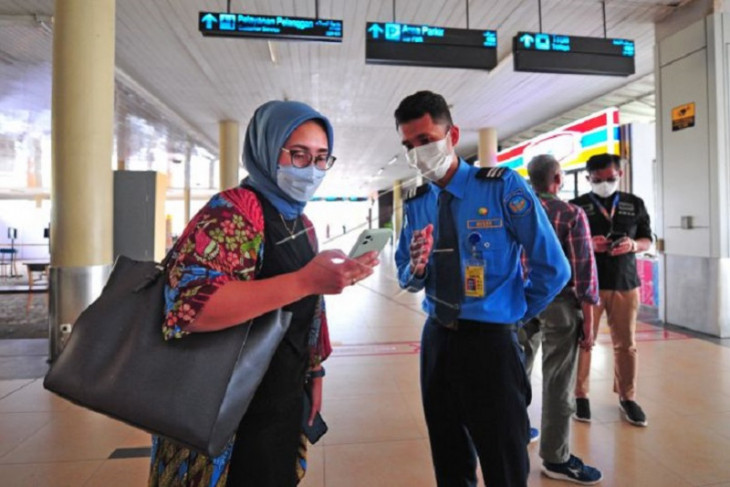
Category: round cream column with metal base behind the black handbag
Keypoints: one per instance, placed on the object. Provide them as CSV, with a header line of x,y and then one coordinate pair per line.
x,y
82,137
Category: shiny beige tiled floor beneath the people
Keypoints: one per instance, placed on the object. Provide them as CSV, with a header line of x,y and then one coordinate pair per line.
x,y
377,435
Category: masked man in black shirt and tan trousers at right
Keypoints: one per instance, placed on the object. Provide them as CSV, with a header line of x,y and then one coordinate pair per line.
x,y
619,228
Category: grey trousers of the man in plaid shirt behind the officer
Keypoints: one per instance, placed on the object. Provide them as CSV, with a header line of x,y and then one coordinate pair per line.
x,y
557,329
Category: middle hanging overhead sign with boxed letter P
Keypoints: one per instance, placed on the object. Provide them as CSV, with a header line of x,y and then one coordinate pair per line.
x,y
428,45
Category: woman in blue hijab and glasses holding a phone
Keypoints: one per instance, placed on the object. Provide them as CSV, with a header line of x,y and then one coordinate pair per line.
x,y
251,250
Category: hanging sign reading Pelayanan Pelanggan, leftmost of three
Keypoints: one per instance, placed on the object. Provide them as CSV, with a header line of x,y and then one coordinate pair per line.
x,y
226,24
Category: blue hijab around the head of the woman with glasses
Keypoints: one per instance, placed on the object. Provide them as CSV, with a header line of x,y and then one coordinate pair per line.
x,y
269,128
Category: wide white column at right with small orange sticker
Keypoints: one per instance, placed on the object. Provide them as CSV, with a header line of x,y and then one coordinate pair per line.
x,y
692,72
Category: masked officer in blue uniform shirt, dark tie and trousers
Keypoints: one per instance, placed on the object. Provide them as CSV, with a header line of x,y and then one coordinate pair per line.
x,y
462,238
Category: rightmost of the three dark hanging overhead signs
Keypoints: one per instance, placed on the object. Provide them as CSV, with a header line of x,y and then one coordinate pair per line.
x,y
555,53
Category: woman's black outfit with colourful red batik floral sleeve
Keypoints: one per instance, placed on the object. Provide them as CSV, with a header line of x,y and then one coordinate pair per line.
x,y
240,236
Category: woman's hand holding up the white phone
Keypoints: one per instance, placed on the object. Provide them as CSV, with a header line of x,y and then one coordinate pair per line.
x,y
331,271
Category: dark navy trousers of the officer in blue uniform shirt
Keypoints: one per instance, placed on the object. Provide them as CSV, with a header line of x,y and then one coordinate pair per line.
x,y
475,396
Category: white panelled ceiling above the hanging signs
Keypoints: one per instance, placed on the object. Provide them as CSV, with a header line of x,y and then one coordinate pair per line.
x,y
188,82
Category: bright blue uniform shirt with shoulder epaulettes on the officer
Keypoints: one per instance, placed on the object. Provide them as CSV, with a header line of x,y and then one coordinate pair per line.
x,y
506,217
